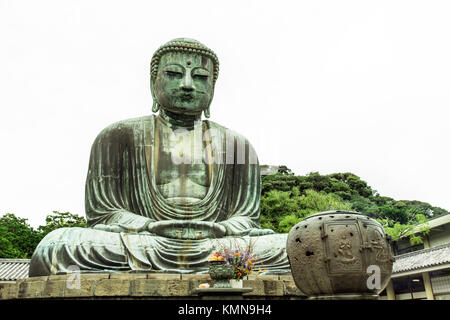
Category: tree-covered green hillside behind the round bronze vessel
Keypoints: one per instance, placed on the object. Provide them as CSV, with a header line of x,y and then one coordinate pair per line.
x,y
287,199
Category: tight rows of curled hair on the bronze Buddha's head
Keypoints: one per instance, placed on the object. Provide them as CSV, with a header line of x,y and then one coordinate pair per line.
x,y
183,45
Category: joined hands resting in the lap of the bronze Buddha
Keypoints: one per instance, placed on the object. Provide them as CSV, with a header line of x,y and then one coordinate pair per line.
x,y
187,229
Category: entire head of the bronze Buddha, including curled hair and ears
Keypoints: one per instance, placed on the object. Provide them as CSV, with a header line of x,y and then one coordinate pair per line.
x,y
183,75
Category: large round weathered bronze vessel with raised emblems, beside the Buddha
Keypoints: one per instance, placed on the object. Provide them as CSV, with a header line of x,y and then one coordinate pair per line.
x,y
340,255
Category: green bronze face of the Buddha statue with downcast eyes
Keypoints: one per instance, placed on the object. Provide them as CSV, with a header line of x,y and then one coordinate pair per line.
x,y
184,83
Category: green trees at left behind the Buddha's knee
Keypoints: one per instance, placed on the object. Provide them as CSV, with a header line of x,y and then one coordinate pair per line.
x,y
18,239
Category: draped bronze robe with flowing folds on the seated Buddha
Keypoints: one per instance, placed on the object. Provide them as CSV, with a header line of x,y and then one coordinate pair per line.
x,y
122,199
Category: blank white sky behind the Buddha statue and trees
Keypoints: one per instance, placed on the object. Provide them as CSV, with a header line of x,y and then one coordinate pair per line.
x,y
328,86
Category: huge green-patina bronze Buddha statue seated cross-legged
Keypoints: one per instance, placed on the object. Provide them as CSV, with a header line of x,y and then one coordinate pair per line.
x,y
164,191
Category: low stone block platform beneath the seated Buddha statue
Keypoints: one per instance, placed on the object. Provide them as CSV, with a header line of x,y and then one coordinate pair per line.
x,y
139,286
